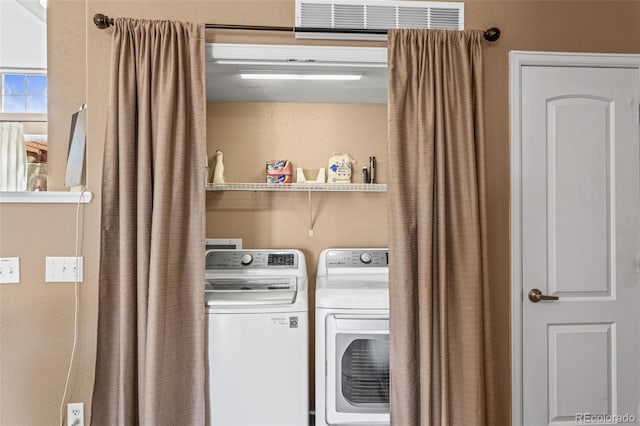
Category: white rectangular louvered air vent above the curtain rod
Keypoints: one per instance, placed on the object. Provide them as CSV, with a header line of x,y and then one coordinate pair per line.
x,y
344,18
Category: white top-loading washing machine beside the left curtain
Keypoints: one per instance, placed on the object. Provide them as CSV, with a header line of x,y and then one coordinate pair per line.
x,y
257,338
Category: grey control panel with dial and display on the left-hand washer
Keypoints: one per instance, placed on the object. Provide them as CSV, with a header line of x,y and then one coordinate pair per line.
x,y
250,259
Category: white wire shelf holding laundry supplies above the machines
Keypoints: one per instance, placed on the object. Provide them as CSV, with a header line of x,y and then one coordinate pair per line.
x,y
299,187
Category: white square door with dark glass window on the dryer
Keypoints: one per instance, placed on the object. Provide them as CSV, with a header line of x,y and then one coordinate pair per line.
x,y
357,369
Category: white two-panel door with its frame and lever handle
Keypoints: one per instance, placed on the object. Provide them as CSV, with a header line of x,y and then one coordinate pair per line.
x,y
576,213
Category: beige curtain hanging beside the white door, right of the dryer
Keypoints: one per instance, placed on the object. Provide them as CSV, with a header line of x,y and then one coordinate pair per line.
x,y
441,363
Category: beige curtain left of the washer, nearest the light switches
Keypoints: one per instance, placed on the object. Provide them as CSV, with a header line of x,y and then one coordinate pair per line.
x,y
150,367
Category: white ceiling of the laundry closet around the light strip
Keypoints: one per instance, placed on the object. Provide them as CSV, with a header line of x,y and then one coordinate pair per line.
x,y
225,62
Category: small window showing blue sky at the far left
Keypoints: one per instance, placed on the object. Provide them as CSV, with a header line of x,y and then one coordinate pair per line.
x,y
24,93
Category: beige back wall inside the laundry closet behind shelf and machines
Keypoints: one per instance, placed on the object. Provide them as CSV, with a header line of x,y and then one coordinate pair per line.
x,y
249,134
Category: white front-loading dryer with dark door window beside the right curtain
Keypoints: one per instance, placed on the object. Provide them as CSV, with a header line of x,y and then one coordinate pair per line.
x,y
352,337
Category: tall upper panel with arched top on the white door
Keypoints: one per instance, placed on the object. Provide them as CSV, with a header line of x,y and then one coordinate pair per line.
x,y
579,183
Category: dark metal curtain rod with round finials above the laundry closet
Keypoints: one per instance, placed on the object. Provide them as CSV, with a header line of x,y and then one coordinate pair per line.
x,y
103,21
